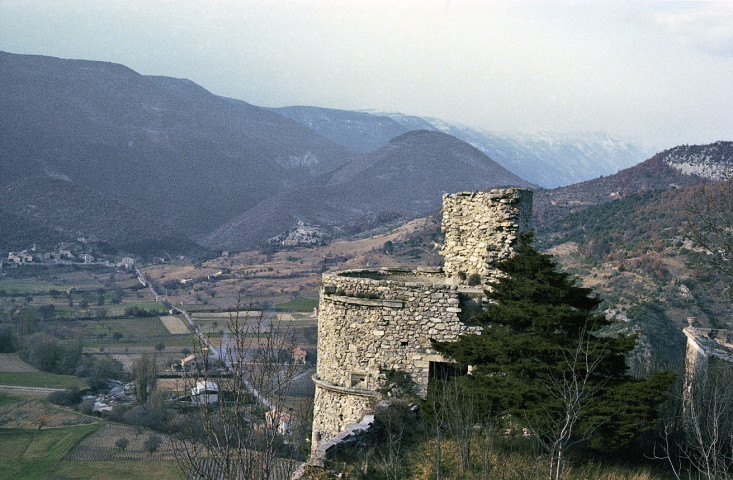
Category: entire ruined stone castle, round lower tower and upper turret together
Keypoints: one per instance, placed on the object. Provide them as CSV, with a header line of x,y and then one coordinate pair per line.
x,y
370,321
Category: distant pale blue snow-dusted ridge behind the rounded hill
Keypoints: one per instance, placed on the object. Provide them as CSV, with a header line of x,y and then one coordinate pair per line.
x,y
548,160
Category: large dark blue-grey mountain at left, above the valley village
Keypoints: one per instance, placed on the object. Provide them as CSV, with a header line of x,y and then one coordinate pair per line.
x,y
165,146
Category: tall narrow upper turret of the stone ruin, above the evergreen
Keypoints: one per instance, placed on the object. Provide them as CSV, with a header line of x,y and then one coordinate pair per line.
x,y
481,228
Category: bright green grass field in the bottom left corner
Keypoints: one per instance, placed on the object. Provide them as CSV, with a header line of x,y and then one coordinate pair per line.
x,y
36,453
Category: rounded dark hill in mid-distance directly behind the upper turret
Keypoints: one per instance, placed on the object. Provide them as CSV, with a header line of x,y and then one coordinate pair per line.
x,y
404,179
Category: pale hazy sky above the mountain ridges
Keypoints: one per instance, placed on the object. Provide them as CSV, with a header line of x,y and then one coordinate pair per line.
x,y
658,71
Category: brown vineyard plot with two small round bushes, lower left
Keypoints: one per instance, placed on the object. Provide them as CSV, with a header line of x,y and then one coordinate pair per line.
x,y
101,445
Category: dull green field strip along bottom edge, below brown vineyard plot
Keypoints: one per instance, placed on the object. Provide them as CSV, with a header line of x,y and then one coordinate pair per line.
x,y
119,469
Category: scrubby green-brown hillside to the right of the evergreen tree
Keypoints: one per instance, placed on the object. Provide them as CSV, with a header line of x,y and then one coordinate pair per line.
x,y
635,253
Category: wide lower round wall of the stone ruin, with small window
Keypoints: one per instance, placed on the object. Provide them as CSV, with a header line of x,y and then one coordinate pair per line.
x,y
368,325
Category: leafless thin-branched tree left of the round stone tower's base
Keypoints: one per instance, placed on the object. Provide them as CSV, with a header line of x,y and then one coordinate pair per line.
x,y
241,432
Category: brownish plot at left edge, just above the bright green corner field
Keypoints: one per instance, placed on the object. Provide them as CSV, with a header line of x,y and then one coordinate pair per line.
x,y
27,414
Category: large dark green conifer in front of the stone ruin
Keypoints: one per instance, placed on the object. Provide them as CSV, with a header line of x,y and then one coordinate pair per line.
x,y
541,332
